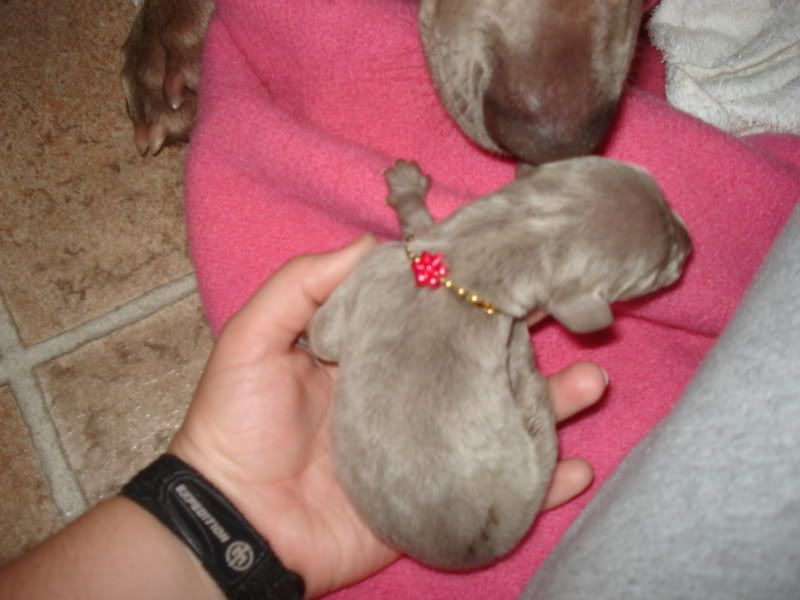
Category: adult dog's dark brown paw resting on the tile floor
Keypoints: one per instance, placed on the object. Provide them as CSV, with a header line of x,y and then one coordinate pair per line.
x,y
161,70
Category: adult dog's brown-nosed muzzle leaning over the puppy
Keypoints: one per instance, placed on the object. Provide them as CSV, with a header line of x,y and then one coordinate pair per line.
x,y
538,79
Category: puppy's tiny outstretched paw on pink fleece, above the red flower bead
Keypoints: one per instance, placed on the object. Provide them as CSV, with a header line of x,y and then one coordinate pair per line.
x,y
407,190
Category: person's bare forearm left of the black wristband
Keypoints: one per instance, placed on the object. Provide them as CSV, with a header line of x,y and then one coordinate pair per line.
x,y
115,550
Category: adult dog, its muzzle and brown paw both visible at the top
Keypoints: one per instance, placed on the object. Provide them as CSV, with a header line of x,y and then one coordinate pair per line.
x,y
538,79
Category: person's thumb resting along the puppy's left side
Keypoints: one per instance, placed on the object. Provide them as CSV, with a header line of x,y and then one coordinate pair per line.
x,y
278,312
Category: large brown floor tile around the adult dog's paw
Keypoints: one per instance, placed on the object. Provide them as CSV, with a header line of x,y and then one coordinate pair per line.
x,y
85,223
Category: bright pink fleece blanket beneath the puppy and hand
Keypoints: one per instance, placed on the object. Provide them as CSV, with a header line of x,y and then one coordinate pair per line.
x,y
305,103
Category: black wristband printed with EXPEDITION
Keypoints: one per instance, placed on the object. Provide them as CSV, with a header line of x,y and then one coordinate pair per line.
x,y
236,556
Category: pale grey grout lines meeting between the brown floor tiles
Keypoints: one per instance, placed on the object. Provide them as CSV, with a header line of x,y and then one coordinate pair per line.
x,y
17,369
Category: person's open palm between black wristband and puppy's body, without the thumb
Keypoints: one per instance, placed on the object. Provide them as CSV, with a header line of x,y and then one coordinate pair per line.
x,y
271,422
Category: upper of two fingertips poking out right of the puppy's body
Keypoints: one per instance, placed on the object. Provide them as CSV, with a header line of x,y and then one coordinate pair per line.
x,y
576,387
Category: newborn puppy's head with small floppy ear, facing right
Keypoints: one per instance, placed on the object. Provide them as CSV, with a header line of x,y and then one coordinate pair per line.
x,y
608,235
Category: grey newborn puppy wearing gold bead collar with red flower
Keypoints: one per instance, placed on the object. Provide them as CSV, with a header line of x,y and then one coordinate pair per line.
x,y
443,433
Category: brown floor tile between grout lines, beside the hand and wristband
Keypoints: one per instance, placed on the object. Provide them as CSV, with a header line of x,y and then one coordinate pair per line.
x,y
117,401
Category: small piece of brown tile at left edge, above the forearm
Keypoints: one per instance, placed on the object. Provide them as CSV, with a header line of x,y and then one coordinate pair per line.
x,y
27,511
